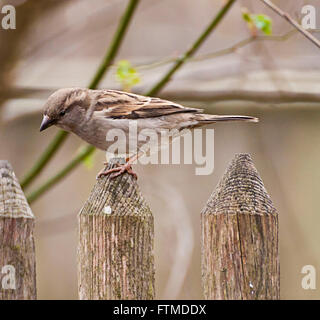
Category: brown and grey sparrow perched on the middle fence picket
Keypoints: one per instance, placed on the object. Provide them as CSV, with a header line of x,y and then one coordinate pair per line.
x,y
90,114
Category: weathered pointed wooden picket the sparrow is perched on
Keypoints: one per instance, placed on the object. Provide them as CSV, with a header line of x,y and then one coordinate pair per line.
x,y
116,231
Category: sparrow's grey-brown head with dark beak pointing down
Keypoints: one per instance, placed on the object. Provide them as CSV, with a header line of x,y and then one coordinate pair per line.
x,y
65,108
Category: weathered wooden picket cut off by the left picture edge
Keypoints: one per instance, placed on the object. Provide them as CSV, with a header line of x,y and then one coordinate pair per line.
x,y
17,251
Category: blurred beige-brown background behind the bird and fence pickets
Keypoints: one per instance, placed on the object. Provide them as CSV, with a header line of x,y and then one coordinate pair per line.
x,y
61,43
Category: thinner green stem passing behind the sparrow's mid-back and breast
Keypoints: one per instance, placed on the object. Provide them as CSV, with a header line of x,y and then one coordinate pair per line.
x,y
158,86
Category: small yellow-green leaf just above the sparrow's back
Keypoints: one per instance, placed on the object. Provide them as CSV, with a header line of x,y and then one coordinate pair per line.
x,y
127,75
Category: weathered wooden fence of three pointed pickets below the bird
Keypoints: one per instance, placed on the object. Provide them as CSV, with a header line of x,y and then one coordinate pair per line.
x,y
239,240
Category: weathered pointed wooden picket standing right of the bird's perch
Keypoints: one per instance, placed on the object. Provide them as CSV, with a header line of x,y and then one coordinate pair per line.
x,y
240,258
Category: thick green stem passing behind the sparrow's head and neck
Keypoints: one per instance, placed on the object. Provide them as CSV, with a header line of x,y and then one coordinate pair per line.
x,y
104,66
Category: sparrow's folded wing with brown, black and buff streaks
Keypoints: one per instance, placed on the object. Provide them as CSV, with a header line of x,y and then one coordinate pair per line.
x,y
122,105
